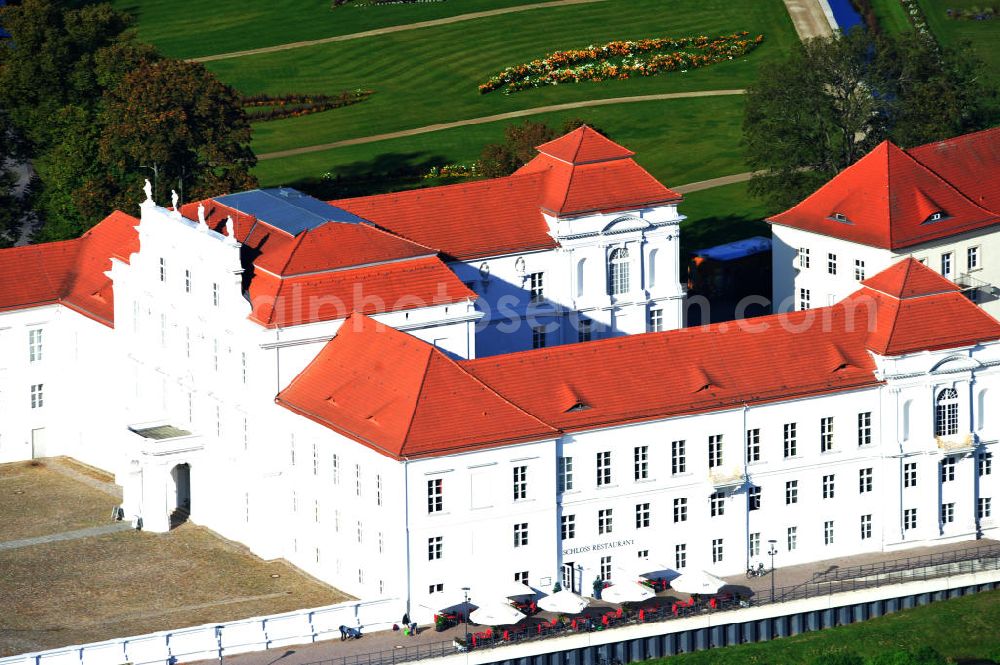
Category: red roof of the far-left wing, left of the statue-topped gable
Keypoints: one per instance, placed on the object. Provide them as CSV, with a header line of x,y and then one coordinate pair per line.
x,y
69,272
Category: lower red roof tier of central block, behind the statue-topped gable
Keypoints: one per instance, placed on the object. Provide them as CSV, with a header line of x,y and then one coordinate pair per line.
x,y
328,296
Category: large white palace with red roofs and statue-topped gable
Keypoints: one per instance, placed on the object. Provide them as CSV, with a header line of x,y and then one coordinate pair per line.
x,y
420,391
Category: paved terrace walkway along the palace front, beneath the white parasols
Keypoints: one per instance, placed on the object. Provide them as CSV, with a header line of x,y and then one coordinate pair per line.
x,y
390,641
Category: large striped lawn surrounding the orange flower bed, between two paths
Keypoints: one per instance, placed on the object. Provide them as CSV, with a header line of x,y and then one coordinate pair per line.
x,y
431,75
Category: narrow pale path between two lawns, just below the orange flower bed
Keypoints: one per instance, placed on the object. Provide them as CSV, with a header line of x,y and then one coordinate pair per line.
x,y
494,118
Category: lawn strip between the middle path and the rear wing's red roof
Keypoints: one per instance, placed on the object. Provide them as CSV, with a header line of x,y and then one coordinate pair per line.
x,y
678,141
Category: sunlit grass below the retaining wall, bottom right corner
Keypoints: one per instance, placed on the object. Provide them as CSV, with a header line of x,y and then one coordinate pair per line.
x,y
961,629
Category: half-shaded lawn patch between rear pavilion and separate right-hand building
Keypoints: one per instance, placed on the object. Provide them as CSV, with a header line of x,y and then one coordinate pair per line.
x,y
720,215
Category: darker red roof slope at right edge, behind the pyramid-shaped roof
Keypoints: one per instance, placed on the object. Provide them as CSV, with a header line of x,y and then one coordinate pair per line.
x,y
970,163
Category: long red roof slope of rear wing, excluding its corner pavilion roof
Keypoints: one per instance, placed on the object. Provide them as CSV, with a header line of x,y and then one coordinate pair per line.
x,y
465,221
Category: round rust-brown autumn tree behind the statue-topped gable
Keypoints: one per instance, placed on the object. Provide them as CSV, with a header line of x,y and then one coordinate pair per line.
x,y
177,119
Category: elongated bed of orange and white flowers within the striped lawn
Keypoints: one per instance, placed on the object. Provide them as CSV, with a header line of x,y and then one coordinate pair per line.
x,y
622,60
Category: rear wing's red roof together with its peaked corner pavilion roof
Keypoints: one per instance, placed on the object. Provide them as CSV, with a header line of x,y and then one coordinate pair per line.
x,y
579,173
